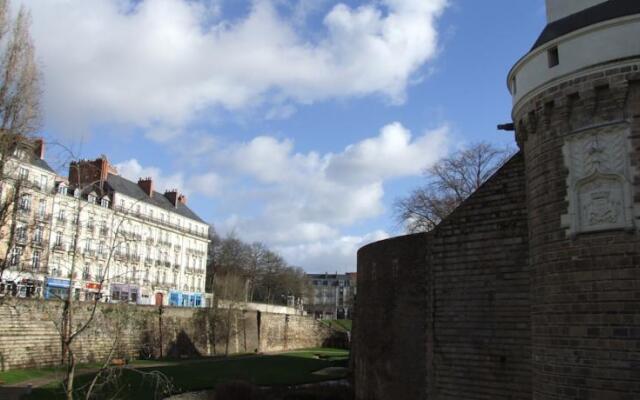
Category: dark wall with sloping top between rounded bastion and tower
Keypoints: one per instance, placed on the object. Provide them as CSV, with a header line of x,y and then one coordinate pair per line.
x,y
478,283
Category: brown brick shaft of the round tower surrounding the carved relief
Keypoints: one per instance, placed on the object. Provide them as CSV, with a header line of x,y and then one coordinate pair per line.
x,y
586,287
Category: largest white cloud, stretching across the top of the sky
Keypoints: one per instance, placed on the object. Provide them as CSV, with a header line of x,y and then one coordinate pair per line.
x,y
158,63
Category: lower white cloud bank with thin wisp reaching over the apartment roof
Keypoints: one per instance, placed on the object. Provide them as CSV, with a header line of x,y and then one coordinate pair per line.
x,y
302,203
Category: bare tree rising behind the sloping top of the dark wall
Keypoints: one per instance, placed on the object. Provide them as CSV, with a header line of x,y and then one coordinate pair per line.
x,y
449,182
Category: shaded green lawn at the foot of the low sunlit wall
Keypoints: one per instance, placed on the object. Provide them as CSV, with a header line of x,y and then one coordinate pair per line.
x,y
291,368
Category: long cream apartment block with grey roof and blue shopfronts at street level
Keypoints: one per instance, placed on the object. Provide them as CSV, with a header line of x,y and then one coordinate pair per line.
x,y
118,240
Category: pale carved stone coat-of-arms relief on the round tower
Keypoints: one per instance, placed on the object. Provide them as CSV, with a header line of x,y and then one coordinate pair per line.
x,y
600,182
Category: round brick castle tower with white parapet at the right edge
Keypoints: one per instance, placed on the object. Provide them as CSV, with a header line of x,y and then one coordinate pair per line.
x,y
577,117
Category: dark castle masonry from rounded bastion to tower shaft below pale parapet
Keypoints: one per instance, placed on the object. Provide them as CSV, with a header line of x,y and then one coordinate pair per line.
x,y
530,289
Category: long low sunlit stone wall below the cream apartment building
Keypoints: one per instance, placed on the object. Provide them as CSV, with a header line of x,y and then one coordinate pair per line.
x,y
29,332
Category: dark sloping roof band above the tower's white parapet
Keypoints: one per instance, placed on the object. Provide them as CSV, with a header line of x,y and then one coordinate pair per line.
x,y
602,12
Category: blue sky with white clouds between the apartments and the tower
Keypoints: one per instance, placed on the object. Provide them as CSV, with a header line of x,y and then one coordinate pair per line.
x,y
296,123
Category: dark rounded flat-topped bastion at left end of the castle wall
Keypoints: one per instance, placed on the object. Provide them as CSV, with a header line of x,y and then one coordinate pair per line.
x,y
389,343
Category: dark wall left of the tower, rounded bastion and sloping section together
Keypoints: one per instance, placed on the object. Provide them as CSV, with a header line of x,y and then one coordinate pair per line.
x,y
445,315
